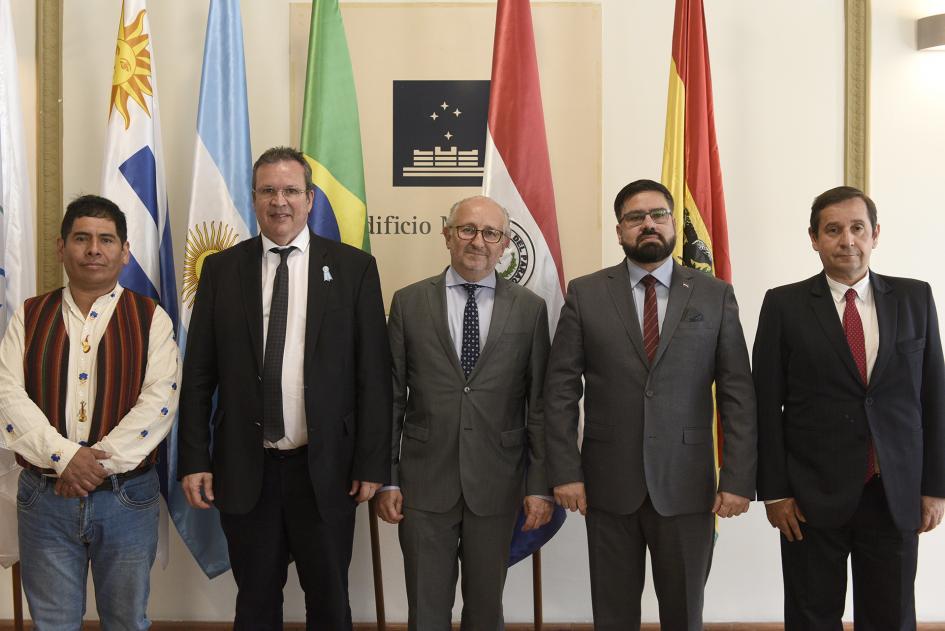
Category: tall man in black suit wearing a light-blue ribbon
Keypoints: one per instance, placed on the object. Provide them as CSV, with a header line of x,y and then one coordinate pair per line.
x,y
288,330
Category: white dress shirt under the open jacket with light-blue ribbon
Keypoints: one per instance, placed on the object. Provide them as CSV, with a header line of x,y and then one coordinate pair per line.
x,y
293,358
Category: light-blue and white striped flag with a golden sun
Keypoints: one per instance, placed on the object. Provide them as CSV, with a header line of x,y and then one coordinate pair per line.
x,y
221,214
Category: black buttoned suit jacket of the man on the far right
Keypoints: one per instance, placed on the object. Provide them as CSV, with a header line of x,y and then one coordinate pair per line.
x,y
815,414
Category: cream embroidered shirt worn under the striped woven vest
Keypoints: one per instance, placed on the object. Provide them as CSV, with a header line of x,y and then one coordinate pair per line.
x,y
26,430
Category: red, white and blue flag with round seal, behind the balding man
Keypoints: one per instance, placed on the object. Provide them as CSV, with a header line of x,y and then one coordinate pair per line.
x,y
518,176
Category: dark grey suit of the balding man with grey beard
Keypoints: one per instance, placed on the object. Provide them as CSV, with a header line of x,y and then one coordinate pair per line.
x,y
461,446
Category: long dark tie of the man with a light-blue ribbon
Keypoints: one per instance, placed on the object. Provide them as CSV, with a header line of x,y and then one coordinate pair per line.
x,y
273,422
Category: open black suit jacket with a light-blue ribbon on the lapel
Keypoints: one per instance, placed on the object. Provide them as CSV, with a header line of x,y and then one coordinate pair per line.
x,y
347,376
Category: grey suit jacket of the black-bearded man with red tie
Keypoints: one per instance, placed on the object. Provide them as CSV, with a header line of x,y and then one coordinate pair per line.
x,y
648,429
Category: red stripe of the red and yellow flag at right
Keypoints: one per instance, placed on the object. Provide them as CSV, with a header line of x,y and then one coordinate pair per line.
x,y
702,169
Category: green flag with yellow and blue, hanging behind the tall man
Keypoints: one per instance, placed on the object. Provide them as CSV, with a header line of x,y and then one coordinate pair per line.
x,y
331,134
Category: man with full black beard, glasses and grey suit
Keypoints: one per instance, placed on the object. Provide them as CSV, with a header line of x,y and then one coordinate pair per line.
x,y
644,342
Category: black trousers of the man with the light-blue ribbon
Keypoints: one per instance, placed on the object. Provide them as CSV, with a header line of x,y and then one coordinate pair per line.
x,y
284,522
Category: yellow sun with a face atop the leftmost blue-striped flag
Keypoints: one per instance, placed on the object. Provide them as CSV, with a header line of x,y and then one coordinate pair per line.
x,y
132,77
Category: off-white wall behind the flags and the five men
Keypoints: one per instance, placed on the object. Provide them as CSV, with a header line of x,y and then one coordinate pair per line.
x,y
778,85
